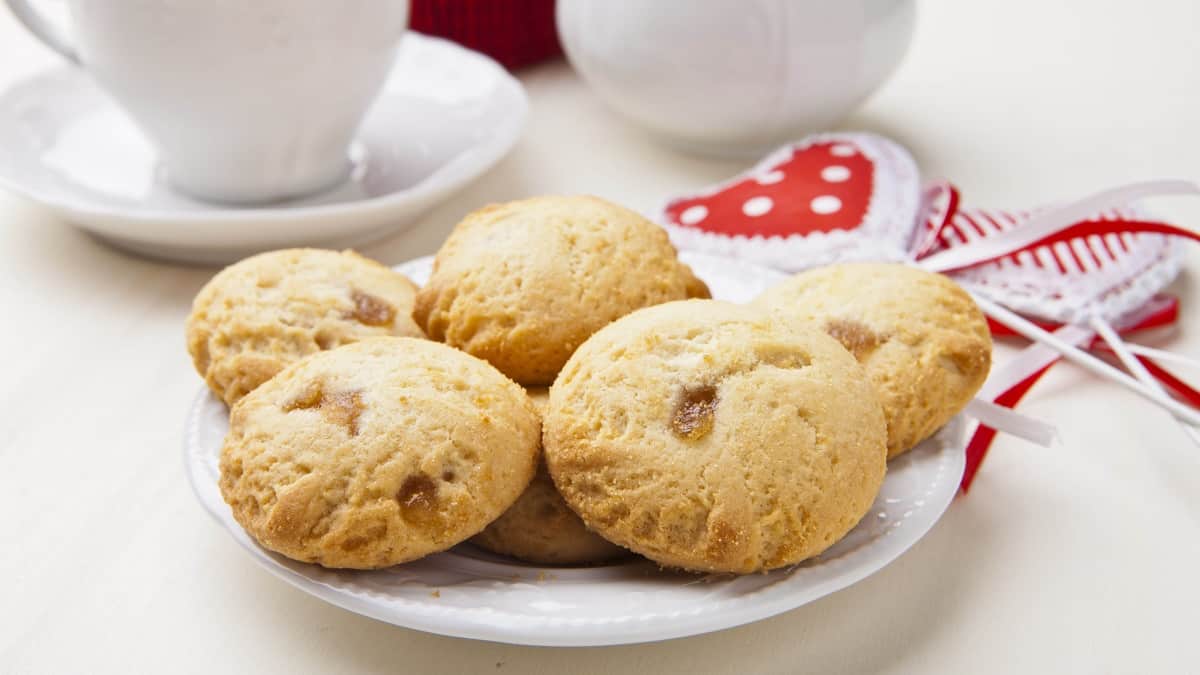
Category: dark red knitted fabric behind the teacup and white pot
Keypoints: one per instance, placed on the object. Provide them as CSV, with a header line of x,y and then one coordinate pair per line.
x,y
515,33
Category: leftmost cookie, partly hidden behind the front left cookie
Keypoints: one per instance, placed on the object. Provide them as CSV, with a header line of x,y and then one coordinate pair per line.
x,y
262,314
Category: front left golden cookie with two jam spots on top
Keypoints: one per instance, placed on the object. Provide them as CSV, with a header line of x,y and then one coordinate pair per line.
x,y
377,453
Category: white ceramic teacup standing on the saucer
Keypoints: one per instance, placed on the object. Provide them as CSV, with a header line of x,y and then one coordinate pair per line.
x,y
248,101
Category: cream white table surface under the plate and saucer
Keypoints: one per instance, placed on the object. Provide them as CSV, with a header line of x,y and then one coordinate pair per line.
x,y
1078,559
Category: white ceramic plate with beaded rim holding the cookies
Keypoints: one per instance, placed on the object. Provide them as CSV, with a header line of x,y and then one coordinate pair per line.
x,y
471,594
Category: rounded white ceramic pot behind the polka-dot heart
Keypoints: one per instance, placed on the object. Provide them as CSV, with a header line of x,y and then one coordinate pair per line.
x,y
735,77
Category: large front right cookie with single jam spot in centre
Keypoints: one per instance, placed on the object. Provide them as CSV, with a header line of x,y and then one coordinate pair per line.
x,y
716,438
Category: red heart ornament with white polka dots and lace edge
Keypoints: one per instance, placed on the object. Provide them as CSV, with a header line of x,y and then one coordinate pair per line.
x,y
826,199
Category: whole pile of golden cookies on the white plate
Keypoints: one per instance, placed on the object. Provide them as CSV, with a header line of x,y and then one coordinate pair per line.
x,y
374,423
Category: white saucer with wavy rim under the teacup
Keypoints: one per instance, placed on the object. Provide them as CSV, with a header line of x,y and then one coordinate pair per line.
x,y
447,115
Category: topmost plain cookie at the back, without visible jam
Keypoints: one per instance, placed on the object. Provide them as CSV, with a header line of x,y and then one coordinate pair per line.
x,y
524,284
